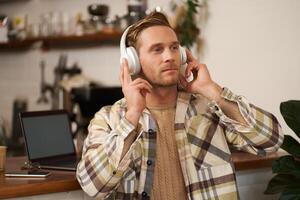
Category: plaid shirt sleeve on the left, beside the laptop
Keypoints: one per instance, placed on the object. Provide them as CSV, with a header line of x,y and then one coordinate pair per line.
x,y
101,167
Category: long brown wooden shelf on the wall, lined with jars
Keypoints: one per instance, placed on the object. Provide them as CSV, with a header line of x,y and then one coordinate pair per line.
x,y
71,41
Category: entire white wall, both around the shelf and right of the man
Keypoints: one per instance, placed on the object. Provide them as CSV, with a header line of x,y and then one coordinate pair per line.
x,y
252,47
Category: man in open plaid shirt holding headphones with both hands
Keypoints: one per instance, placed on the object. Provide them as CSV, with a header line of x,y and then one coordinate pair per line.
x,y
162,143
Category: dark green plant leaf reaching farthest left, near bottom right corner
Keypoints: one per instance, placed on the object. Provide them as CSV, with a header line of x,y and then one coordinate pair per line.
x,y
280,182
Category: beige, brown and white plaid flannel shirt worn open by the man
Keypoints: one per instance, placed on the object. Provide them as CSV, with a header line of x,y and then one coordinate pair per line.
x,y
203,133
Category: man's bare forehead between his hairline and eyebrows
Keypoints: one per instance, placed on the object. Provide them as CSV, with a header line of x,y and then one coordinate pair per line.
x,y
156,34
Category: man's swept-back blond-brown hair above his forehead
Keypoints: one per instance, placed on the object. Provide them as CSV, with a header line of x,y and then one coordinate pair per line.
x,y
153,19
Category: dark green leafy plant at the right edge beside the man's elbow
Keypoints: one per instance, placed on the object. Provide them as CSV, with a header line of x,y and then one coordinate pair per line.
x,y
287,168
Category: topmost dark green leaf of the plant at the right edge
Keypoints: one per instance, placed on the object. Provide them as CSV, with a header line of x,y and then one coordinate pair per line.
x,y
290,111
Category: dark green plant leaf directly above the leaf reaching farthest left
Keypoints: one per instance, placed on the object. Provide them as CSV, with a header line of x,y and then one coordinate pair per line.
x,y
286,165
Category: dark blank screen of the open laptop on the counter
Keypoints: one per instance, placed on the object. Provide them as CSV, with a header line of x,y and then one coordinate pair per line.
x,y
47,134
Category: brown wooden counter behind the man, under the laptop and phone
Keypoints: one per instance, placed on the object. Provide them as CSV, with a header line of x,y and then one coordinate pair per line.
x,y
63,181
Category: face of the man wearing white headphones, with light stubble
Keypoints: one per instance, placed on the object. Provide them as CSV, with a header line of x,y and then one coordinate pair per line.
x,y
158,49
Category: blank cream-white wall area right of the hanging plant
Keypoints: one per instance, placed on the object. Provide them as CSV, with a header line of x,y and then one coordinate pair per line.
x,y
253,47
